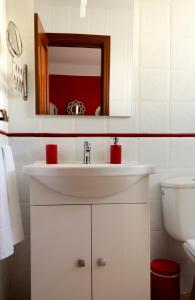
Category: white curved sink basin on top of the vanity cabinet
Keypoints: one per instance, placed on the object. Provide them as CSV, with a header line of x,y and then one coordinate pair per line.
x,y
93,180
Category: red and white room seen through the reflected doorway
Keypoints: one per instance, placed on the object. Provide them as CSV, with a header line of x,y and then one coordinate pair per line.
x,y
74,80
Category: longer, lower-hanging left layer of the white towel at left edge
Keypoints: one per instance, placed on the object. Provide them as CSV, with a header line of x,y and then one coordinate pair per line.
x,y
6,241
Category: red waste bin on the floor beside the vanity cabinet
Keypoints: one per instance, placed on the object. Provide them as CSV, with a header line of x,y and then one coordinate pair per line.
x,y
165,280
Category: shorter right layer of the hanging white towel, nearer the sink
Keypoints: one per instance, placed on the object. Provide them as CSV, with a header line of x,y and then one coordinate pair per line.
x,y
13,198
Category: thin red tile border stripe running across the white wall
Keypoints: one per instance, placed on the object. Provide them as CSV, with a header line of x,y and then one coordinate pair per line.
x,y
74,135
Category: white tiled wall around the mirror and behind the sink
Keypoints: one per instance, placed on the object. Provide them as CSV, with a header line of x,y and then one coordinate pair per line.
x,y
164,101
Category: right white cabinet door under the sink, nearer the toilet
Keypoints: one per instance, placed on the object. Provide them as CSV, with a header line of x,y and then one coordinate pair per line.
x,y
120,252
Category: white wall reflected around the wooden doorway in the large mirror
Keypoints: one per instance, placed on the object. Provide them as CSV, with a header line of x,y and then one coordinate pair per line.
x,y
111,18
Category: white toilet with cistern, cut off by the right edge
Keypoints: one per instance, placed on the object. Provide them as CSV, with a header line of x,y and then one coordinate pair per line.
x,y
178,203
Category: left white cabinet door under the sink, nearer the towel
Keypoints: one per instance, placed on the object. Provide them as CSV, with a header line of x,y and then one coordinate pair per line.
x,y
60,236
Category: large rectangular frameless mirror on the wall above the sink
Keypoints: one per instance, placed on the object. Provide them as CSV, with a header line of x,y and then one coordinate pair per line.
x,y
103,18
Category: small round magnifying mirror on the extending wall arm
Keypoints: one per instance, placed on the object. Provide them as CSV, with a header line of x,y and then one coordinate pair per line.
x,y
14,42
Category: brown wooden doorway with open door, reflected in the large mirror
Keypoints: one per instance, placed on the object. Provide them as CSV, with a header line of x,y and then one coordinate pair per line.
x,y
72,73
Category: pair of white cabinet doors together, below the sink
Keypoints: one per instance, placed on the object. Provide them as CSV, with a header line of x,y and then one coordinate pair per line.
x,y
84,252
